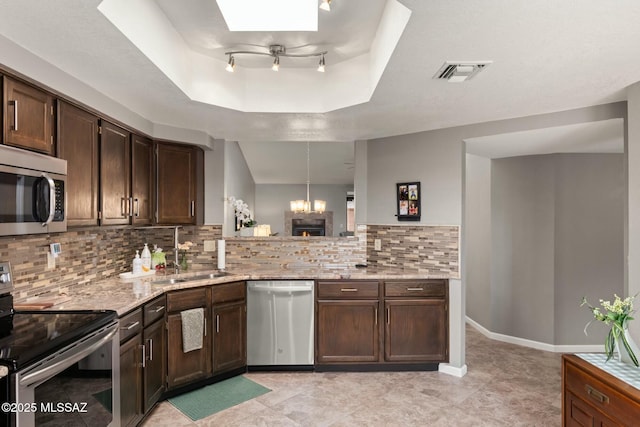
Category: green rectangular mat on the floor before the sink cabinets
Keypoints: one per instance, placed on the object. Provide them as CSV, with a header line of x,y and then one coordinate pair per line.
x,y
214,398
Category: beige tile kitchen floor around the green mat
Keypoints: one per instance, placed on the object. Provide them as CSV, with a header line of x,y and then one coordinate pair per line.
x,y
506,385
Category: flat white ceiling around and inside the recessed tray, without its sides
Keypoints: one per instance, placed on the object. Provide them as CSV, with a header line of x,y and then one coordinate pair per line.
x,y
547,56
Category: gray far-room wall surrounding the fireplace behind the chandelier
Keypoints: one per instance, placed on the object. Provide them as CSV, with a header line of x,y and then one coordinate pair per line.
x,y
272,200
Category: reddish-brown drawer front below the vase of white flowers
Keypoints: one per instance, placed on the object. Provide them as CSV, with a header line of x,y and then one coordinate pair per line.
x,y
600,395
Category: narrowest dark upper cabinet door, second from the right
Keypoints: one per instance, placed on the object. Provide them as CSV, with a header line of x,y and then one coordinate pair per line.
x,y
142,180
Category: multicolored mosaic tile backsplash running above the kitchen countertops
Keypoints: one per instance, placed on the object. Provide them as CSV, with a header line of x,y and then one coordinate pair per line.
x,y
96,253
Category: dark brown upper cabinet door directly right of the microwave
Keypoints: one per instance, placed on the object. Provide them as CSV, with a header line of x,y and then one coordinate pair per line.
x,y
78,145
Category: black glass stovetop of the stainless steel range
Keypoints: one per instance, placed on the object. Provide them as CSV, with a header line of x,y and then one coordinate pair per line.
x,y
29,336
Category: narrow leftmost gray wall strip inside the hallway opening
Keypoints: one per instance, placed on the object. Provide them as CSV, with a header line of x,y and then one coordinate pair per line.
x,y
477,220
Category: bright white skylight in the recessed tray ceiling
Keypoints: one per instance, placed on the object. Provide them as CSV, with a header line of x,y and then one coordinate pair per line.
x,y
273,15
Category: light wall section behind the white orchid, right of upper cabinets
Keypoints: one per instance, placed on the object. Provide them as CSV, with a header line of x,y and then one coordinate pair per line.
x,y
238,183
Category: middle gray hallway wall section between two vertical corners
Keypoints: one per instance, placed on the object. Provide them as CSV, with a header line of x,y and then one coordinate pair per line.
x,y
522,247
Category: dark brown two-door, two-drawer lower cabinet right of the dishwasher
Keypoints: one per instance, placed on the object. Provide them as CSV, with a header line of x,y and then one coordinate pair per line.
x,y
356,319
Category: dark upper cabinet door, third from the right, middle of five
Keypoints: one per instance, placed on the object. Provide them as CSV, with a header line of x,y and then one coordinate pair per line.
x,y
115,184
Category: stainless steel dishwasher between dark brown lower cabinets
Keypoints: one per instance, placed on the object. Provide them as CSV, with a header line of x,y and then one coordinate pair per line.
x,y
280,324
